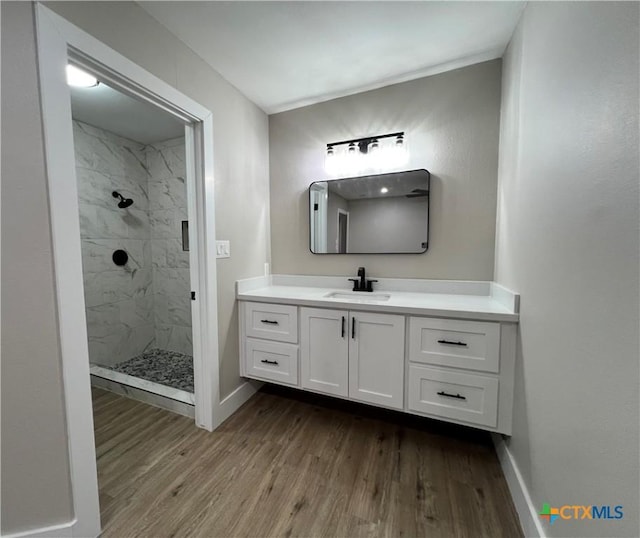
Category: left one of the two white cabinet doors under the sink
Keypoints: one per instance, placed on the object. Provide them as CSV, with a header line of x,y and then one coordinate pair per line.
x,y
323,350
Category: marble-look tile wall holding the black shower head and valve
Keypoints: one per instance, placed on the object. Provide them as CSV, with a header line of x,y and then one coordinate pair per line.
x,y
119,300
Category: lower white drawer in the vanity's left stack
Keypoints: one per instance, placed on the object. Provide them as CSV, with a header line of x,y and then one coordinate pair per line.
x,y
272,361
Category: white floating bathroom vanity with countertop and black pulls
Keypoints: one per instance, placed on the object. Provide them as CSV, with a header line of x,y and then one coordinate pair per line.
x,y
440,349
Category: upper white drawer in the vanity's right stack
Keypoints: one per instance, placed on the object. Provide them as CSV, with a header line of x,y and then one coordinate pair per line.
x,y
473,345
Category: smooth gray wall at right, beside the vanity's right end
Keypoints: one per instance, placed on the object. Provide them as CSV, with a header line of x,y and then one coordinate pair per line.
x,y
567,241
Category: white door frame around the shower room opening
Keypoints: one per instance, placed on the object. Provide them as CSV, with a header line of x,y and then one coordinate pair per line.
x,y
59,41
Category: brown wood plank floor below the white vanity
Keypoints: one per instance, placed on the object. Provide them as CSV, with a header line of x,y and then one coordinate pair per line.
x,y
291,464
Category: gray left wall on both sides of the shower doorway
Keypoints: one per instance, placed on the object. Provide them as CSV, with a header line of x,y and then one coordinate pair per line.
x,y
35,473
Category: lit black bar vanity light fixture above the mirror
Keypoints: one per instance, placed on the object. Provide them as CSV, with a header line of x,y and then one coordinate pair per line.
x,y
372,153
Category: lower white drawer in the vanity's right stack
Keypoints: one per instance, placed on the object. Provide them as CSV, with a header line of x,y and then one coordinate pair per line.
x,y
467,397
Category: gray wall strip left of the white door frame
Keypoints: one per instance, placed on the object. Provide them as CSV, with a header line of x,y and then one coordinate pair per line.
x,y
35,466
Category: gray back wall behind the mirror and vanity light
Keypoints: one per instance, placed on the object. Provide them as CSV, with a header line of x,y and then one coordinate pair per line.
x,y
451,122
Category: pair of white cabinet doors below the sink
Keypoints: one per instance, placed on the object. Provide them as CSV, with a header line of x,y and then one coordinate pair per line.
x,y
359,355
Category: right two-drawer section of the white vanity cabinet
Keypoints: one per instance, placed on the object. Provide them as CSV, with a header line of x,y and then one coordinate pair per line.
x,y
461,370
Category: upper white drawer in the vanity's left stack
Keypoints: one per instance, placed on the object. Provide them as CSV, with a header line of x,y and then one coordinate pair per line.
x,y
272,321
